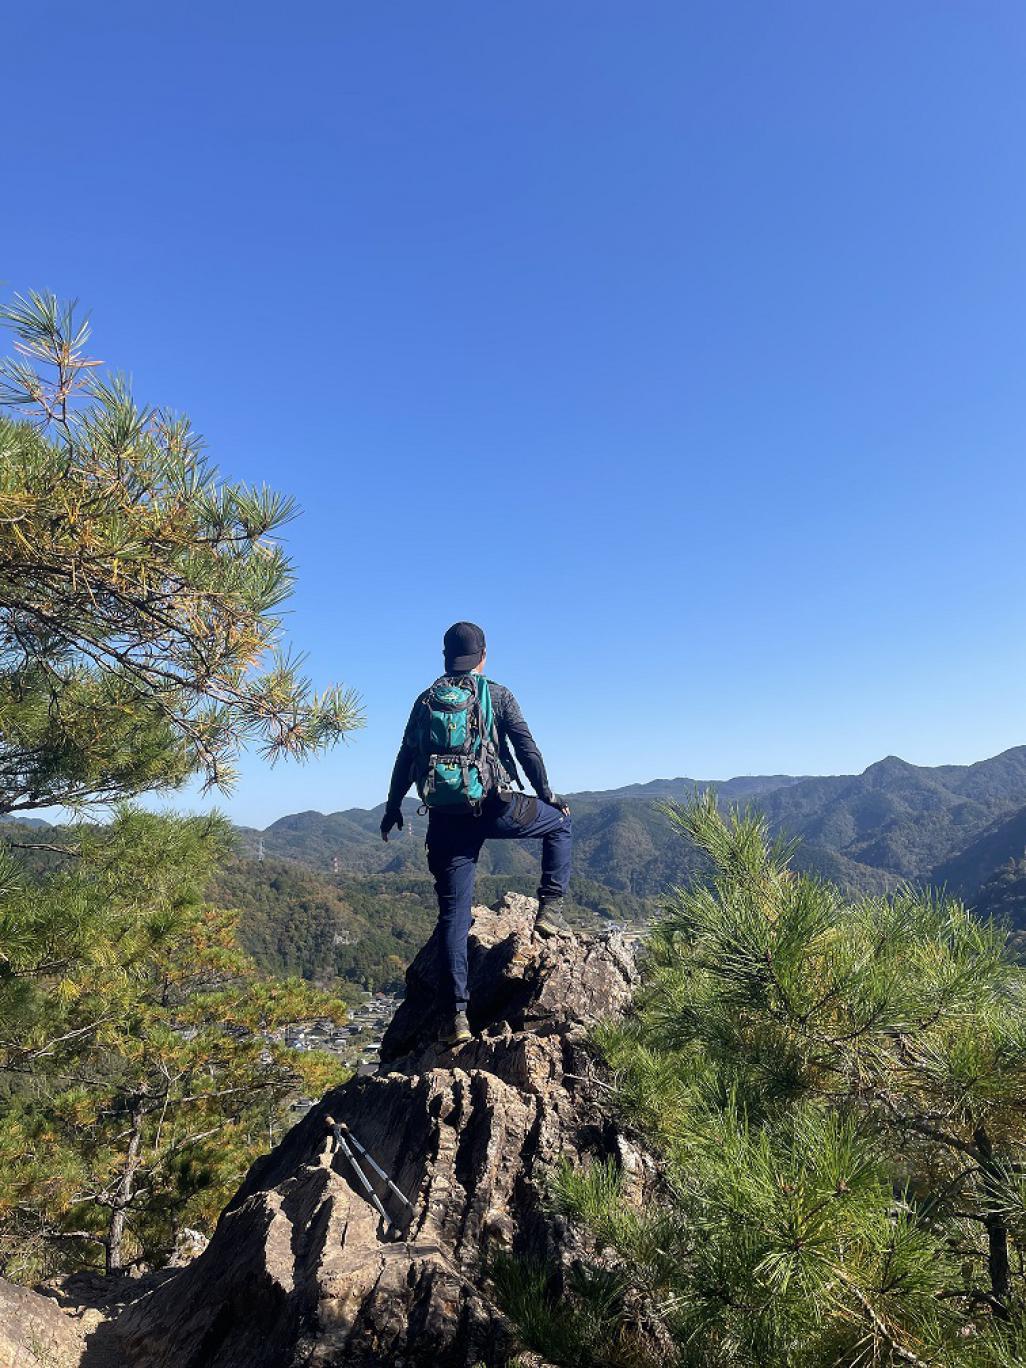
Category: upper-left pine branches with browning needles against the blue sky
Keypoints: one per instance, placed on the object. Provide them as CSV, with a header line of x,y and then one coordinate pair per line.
x,y
139,593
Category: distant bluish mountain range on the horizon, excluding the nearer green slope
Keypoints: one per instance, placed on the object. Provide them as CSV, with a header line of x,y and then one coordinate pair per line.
x,y
895,823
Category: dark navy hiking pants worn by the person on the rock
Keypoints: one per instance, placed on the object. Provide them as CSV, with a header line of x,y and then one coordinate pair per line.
x,y
455,845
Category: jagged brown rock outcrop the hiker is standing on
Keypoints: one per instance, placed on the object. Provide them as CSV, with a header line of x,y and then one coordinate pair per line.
x,y
304,1272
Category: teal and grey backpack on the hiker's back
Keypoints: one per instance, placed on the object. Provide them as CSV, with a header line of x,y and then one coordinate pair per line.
x,y
458,746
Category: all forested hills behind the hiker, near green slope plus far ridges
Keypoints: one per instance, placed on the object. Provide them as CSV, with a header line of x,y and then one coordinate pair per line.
x,y
332,901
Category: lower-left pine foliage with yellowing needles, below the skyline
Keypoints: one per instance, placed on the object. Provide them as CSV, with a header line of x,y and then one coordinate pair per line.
x,y
143,1079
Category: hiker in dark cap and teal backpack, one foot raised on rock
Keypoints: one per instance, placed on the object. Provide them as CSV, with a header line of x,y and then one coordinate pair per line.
x,y
456,749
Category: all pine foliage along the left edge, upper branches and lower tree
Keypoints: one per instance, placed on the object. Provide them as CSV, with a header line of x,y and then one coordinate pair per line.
x,y
140,645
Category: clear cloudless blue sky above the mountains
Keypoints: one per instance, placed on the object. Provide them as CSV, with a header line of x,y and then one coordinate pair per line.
x,y
679,345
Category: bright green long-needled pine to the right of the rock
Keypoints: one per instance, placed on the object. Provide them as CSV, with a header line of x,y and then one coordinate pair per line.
x,y
838,1095
